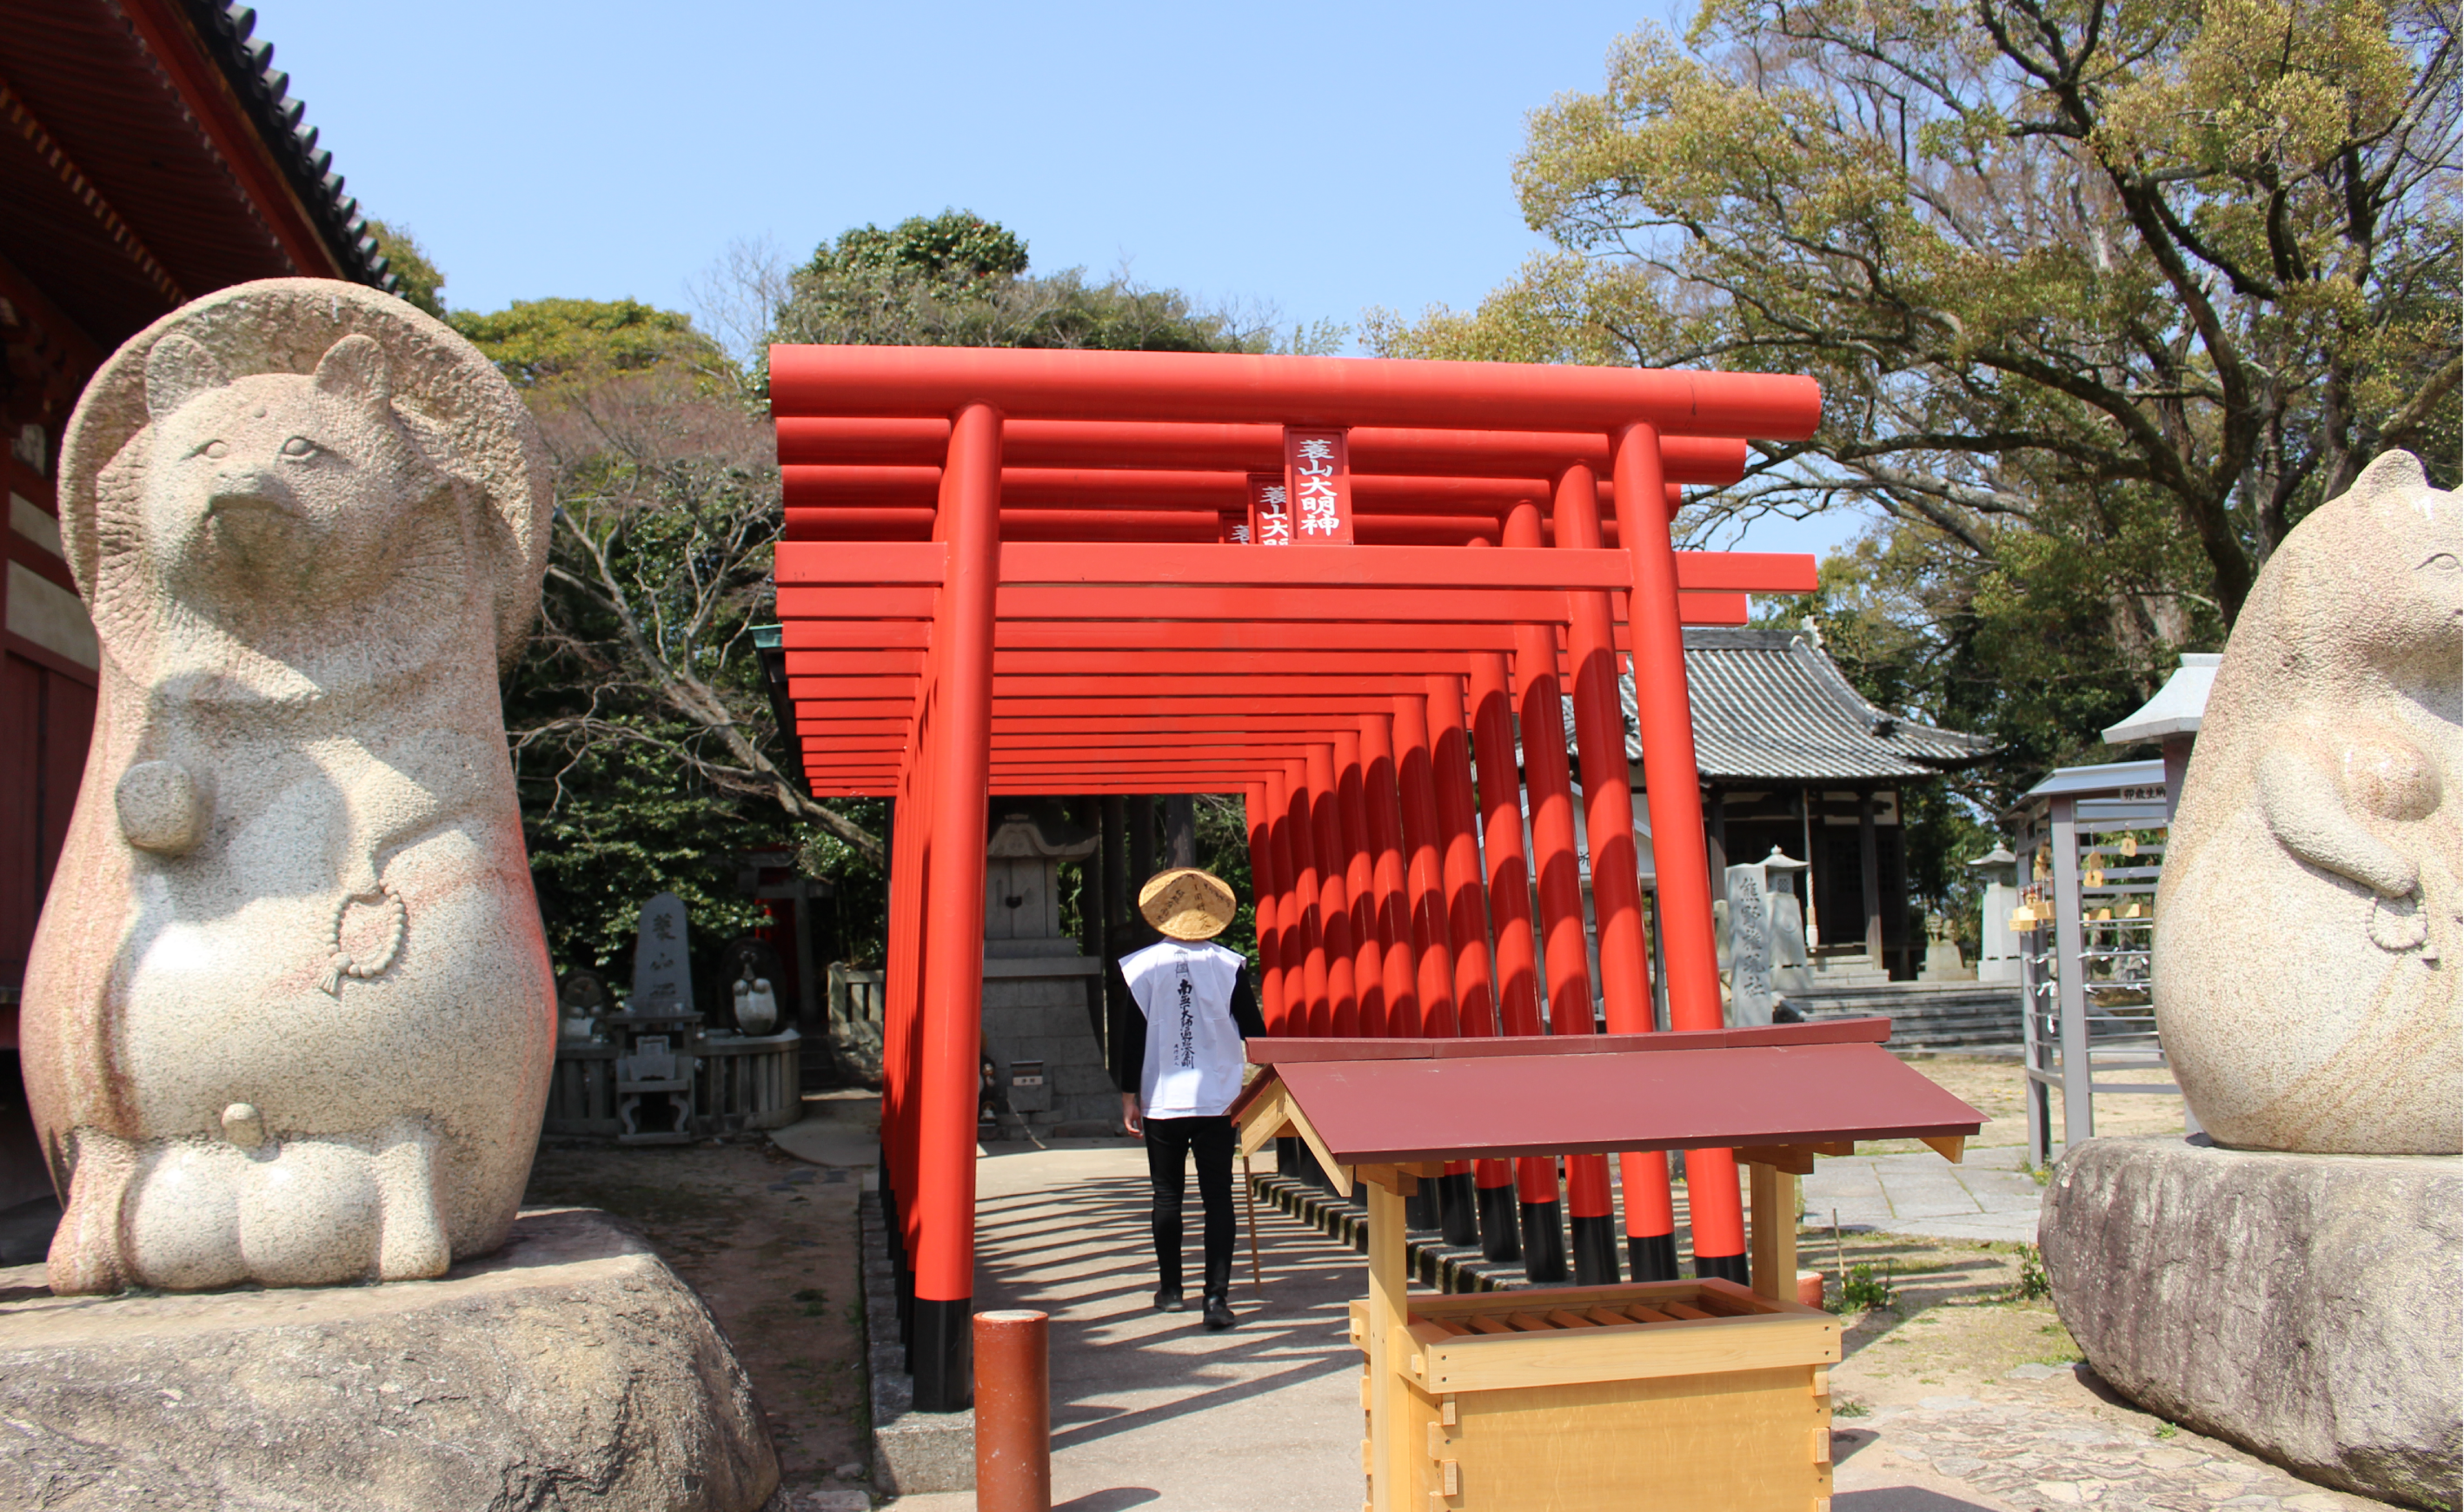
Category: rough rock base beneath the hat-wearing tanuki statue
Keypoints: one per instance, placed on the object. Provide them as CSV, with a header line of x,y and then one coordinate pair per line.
x,y
568,1370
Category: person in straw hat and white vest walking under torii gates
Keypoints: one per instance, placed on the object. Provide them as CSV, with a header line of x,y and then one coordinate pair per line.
x,y
1181,1068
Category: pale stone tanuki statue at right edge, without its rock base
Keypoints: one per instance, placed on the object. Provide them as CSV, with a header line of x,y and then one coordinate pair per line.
x,y
2308,927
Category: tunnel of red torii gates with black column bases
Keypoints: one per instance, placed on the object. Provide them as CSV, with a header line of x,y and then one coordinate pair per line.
x,y
1007,573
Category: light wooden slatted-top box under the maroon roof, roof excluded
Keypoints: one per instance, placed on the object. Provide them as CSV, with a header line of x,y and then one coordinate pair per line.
x,y
1662,1395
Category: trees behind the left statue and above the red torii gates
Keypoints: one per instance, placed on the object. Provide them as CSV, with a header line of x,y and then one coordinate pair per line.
x,y
642,733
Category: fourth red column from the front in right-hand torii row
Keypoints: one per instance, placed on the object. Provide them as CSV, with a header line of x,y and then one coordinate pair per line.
x,y
1519,971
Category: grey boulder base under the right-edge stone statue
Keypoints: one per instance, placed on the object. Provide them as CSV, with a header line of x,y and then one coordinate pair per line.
x,y
2303,1306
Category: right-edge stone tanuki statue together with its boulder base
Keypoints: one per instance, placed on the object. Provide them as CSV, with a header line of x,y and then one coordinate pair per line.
x,y
2293,1277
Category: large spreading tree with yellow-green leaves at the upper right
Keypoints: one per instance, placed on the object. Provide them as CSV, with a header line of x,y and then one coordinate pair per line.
x,y
2103,299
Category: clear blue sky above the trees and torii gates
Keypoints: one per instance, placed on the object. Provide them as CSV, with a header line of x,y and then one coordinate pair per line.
x,y
1315,159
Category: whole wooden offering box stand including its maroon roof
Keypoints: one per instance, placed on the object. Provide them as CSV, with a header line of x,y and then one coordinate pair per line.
x,y
1664,1397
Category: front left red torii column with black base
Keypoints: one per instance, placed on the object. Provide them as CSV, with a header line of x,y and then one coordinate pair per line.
x,y
955,915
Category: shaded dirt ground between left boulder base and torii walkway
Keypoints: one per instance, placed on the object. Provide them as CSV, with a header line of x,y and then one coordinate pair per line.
x,y
770,1242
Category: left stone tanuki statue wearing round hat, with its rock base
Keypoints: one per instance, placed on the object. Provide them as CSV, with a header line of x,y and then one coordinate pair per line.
x,y
290,1016
